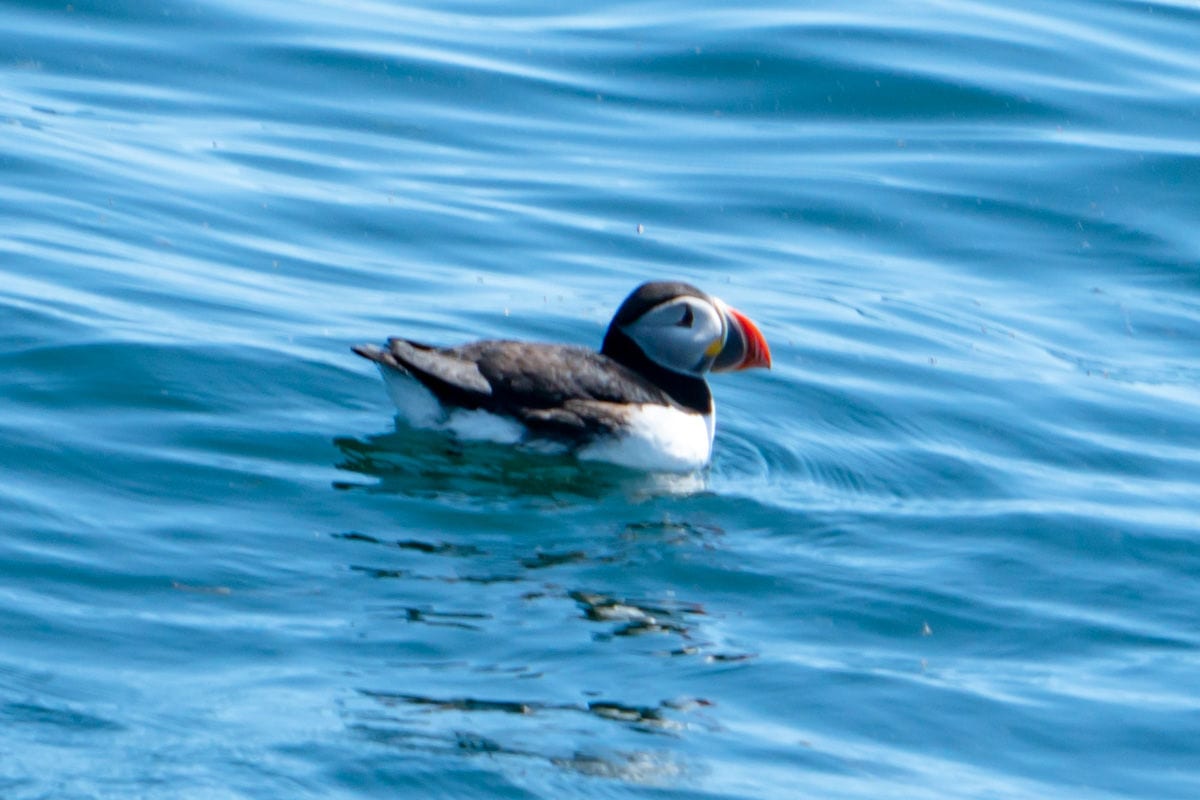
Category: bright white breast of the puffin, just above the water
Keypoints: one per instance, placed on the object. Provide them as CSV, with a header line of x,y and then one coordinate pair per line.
x,y
659,440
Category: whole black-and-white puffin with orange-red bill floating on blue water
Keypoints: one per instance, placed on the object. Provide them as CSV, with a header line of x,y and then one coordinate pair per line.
x,y
643,401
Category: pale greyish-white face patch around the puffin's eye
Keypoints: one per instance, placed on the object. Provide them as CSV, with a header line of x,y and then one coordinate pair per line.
x,y
683,335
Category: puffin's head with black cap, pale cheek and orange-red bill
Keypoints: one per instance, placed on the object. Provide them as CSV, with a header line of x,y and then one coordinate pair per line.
x,y
681,328
